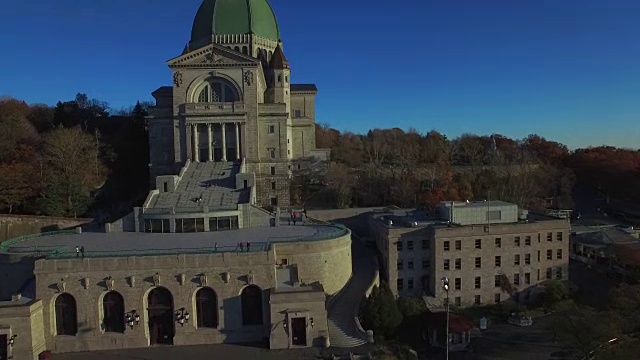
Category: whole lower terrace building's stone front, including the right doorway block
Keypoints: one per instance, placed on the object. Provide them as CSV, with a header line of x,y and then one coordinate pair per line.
x,y
323,268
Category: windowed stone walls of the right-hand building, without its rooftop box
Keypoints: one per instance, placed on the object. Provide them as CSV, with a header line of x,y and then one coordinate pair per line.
x,y
416,258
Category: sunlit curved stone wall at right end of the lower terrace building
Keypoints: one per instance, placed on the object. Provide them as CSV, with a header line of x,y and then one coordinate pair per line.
x,y
326,261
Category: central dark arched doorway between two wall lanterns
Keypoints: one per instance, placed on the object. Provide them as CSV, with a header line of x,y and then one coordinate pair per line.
x,y
161,324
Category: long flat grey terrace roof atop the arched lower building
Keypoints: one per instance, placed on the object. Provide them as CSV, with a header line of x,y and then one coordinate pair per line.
x,y
141,244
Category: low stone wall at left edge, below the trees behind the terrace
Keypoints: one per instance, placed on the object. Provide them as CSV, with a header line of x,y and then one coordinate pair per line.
x,y
12,226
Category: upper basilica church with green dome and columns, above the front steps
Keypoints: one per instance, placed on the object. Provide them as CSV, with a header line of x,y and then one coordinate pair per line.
x,y
232,100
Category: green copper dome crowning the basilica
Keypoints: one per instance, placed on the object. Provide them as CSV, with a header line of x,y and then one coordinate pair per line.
x,y
232,17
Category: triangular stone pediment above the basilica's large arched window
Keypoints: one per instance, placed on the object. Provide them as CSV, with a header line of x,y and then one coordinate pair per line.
x,y
212,56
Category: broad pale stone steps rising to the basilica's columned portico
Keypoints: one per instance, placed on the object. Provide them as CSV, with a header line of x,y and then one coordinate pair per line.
x,y
214,182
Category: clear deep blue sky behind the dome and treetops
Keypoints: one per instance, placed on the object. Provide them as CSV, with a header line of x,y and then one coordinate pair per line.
x,y
565,69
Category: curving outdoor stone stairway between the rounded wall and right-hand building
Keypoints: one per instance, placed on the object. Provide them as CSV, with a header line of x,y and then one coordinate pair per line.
x,y
343,309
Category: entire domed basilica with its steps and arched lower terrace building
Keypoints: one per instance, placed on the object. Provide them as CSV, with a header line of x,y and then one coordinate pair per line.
x,y
201,262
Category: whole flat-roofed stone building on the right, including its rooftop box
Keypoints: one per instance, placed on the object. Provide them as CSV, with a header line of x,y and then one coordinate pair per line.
x,y
476,245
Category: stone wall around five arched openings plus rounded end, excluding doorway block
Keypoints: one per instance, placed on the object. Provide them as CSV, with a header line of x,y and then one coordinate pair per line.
x,y
327,262
